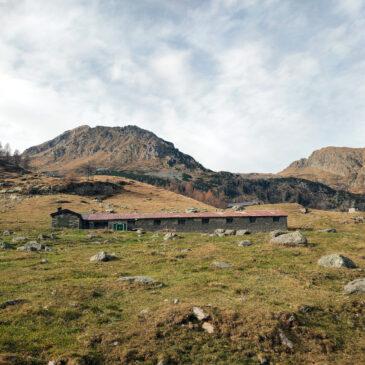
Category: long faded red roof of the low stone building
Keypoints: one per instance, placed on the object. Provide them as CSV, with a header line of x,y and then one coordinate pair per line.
x,y
129,216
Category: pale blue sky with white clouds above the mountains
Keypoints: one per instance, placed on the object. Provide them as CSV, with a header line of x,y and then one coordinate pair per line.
x,y
241,85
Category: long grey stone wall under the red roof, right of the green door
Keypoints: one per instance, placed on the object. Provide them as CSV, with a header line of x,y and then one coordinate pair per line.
x,y
260,224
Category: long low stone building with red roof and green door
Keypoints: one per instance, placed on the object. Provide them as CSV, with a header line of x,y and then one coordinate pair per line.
x,y
254,221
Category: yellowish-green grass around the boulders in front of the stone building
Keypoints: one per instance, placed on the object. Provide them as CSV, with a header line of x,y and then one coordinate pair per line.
x,y
78,310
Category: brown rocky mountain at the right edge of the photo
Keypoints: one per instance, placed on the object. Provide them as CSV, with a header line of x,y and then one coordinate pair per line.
x,y
339,167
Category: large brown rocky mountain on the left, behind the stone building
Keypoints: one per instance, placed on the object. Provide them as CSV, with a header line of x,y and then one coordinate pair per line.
x,y
127,148
